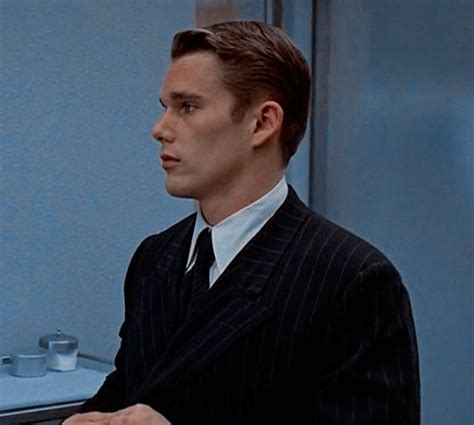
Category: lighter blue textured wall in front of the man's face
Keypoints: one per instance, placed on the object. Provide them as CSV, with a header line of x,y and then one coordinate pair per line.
x,y
81,184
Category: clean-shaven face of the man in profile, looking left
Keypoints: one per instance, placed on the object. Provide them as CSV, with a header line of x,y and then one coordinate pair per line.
x,y
203,152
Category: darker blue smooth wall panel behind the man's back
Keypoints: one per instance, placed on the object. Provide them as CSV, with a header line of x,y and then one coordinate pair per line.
x,y
398,168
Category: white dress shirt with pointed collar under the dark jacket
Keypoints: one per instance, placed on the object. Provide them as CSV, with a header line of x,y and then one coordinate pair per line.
x,y
233,233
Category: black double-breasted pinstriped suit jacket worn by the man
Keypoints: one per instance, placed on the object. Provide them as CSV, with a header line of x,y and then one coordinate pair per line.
x,y
309,324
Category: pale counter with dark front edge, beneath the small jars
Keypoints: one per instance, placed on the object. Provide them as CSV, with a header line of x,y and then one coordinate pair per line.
x,y
53,396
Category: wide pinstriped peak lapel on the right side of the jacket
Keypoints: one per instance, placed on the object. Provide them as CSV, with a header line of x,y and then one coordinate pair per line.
x,y
205,335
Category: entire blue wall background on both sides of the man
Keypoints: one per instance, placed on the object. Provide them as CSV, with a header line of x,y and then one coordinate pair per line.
x,y
389,155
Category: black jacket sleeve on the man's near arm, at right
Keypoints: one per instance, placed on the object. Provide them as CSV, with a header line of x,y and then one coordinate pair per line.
x,y
370,374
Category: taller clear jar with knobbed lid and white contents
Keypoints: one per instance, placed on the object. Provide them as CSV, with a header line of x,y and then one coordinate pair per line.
x,y
62,351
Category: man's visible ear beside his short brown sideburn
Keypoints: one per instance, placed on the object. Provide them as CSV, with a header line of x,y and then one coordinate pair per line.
x,y
267,123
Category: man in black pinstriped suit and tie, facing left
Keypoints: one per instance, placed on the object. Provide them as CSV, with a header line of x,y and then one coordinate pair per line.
x,y
255,309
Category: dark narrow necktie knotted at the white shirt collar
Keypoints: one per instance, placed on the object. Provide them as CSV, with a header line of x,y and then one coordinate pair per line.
x,y
198,276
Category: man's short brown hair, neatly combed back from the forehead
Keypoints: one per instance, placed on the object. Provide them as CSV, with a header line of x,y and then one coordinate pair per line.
x,y
260,63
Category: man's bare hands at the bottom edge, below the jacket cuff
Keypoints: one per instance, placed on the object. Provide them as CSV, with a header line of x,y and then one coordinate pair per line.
x,y
139,414
